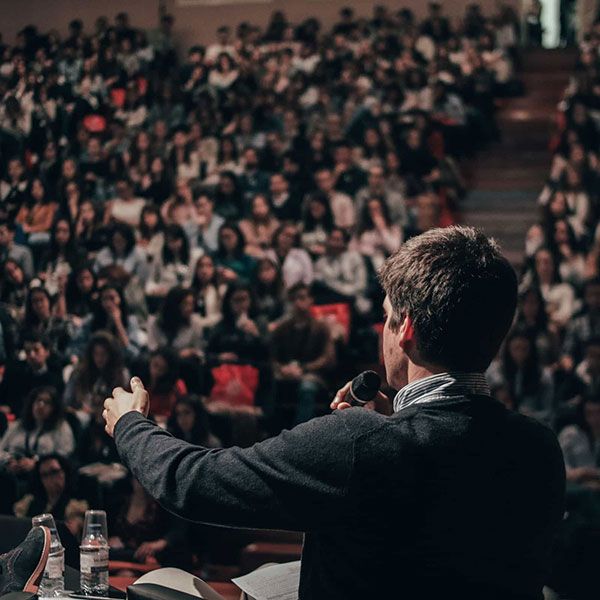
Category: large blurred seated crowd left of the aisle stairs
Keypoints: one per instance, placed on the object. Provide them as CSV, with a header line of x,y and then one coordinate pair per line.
x,y
214,224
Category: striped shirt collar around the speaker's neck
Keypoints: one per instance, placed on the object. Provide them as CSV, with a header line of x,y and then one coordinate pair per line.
x,y
441,386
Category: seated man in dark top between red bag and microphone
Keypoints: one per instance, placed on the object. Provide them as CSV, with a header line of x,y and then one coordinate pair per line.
x,y
303,353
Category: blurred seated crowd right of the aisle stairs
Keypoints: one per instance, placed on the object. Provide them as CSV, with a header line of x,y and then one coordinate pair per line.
x,y
549,367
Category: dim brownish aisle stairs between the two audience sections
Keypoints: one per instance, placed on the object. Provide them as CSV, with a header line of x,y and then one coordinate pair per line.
x,y
506,178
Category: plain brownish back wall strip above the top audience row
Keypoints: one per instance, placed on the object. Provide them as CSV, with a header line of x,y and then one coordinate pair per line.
x,y
195,23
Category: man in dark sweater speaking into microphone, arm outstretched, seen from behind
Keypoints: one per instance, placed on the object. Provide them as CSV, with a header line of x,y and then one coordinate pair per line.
x,y
450,496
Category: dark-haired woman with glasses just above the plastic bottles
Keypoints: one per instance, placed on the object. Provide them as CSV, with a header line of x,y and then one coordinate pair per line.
x,y
53,492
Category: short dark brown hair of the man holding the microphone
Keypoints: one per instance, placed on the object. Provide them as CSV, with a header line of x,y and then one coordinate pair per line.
x,y
458,290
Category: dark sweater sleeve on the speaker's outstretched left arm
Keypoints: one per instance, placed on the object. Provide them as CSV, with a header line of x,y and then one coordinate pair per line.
x,y
296,481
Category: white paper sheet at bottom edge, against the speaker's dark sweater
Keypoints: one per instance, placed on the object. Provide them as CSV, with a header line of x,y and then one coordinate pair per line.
x,y
277,582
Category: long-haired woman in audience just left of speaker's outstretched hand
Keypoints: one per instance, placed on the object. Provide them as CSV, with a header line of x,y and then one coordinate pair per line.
x,y
100,370
